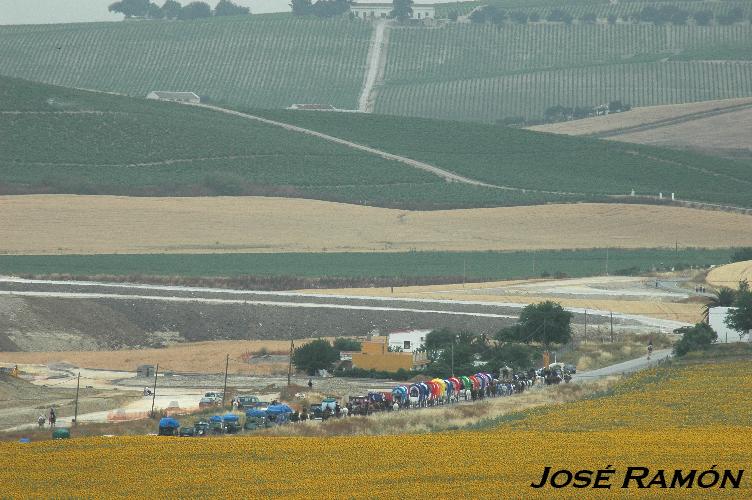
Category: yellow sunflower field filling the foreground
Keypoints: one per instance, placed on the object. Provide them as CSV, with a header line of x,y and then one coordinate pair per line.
x,y
678,418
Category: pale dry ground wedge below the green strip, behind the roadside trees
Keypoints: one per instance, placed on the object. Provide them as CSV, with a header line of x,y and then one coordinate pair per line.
x,y
624,295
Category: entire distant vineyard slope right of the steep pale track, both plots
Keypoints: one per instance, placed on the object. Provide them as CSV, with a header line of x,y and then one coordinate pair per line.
x,y
483,73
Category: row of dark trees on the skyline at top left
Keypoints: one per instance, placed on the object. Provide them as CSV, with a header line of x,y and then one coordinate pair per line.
x,y
172,9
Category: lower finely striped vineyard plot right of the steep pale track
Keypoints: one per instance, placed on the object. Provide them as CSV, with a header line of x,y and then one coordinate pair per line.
x,y
530,94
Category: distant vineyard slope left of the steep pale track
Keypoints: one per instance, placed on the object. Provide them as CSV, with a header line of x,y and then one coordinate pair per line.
x,y
267,61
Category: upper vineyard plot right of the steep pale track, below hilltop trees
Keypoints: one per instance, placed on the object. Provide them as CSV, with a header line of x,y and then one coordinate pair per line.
x,y
471,51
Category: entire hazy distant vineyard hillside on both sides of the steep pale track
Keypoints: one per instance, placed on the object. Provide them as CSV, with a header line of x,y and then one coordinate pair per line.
x,y
451,71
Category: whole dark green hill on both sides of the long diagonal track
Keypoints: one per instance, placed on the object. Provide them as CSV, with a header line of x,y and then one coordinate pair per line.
x,y
68,141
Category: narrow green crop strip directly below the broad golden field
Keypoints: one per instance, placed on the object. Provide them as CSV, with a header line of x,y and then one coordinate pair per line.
x,y
477,265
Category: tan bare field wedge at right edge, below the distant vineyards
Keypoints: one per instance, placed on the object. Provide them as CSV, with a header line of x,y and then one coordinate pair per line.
x,y
727,133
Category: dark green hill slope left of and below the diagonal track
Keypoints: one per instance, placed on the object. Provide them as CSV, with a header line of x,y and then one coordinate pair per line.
x,y
58,140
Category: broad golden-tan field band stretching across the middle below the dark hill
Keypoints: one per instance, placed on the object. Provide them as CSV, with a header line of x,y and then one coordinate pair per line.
x,y
63,224
